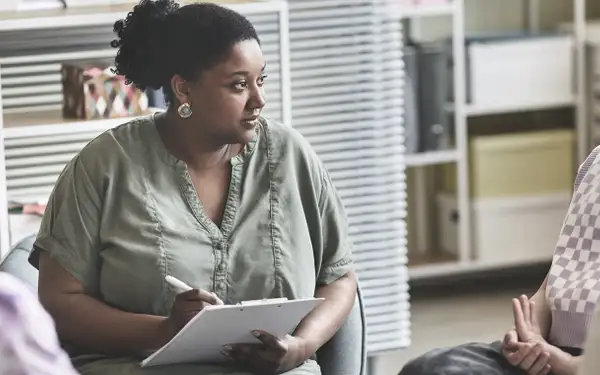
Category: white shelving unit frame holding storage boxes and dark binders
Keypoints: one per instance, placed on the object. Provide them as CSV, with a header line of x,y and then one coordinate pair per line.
x,y
434,264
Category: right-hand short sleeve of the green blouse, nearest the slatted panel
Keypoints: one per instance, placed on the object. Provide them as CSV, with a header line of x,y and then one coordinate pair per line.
x,y
336,259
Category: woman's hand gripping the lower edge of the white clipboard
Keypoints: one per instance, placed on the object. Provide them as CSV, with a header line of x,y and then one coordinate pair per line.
x,y
272,356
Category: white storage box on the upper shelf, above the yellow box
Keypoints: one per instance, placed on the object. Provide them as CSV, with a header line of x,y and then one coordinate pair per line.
x,y
519,70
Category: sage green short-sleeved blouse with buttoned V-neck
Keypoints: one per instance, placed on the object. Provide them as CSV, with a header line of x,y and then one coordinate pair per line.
x,y
124,214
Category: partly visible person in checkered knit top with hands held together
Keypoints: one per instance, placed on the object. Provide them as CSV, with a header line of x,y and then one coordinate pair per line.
x,y
551,327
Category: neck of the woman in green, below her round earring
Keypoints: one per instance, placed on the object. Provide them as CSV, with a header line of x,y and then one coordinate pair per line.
x,y
183,140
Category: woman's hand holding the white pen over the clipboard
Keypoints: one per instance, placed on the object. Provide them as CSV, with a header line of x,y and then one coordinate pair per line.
x,y
186,306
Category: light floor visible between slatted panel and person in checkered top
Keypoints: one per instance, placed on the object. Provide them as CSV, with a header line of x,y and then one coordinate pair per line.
x,y
453,320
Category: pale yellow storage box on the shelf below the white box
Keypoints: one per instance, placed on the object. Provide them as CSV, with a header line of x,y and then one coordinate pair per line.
x,y
516,164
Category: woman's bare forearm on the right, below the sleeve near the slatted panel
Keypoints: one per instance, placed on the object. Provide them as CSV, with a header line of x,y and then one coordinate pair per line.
x,y
324,321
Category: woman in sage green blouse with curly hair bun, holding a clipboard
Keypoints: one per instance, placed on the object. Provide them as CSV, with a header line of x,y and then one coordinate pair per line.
x,y
209,192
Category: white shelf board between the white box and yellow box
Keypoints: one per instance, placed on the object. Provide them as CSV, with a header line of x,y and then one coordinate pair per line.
x,y
473,110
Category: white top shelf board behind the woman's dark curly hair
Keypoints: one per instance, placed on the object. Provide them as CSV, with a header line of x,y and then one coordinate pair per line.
x,y
107,14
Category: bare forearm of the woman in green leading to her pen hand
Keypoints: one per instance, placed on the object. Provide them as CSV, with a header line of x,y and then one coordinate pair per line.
x,y
86,323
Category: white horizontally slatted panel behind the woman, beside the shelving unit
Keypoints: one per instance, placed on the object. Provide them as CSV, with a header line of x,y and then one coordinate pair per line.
x,y
347,87
